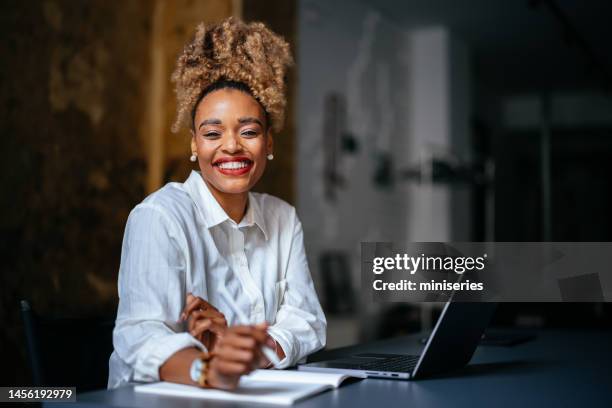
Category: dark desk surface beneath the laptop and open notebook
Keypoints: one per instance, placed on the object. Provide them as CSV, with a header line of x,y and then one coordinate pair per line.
x,y
558,368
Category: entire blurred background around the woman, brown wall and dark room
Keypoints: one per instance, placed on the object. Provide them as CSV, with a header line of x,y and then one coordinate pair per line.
x,y
419,120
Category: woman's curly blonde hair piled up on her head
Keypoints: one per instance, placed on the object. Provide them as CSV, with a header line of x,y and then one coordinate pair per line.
x,y
233,51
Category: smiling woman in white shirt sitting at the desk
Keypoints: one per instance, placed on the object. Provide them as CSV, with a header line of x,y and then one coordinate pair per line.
x,y
187,240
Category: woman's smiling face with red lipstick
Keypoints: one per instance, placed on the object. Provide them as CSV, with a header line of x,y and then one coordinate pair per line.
x,y
231,141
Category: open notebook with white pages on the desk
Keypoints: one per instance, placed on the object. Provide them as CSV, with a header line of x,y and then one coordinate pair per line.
x,y
261,386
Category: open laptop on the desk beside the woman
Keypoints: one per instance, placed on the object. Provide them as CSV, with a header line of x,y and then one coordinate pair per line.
x,y
450,345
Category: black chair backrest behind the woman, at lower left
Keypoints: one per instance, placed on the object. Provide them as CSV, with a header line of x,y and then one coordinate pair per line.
x,y
68,351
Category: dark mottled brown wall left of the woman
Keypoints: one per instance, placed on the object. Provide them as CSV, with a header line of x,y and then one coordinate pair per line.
x,y
74,90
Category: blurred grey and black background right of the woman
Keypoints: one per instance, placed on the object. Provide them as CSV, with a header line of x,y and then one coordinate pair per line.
x,y
438,121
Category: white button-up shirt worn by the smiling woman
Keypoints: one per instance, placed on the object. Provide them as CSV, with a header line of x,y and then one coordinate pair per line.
x,y
180,240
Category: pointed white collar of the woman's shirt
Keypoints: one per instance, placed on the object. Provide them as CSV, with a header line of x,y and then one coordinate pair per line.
x,y
211,211
